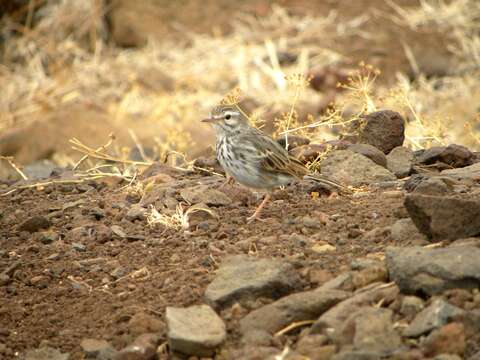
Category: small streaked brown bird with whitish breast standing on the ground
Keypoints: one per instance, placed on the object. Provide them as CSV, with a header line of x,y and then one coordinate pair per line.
x,y
253,158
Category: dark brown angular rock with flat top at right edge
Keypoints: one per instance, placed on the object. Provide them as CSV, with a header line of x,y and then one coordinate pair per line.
x,y
441,217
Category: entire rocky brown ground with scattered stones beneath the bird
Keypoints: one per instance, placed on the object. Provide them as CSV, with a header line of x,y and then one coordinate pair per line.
x,y
390,271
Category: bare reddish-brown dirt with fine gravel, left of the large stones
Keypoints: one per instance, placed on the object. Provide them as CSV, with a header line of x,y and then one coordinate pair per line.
x,y
63,292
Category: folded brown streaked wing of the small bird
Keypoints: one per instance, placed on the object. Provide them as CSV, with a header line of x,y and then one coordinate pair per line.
x,y
270,155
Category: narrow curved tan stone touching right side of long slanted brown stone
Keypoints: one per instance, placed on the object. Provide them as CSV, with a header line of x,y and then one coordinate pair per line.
x,y
332,320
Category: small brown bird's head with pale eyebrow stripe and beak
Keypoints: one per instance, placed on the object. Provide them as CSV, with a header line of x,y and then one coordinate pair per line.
x,y
227,119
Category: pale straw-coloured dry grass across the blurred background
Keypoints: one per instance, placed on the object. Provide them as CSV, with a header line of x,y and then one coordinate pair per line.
x,y
65,59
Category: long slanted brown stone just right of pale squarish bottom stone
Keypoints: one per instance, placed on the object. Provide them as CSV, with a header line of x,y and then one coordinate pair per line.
x,y
292,308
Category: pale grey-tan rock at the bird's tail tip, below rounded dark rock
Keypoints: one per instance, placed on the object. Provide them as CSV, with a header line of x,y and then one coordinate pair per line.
x,y
351,168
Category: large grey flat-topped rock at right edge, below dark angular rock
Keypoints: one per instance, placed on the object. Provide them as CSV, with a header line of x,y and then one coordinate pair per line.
x,y
431,271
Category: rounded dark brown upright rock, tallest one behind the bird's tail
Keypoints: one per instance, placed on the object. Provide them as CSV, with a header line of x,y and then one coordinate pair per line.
x,y
383,129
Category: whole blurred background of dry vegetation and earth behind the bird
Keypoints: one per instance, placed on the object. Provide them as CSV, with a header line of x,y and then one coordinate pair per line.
x,y
149,70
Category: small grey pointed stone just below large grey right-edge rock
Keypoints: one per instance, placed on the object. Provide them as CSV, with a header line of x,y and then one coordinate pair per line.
x,y
437,314
